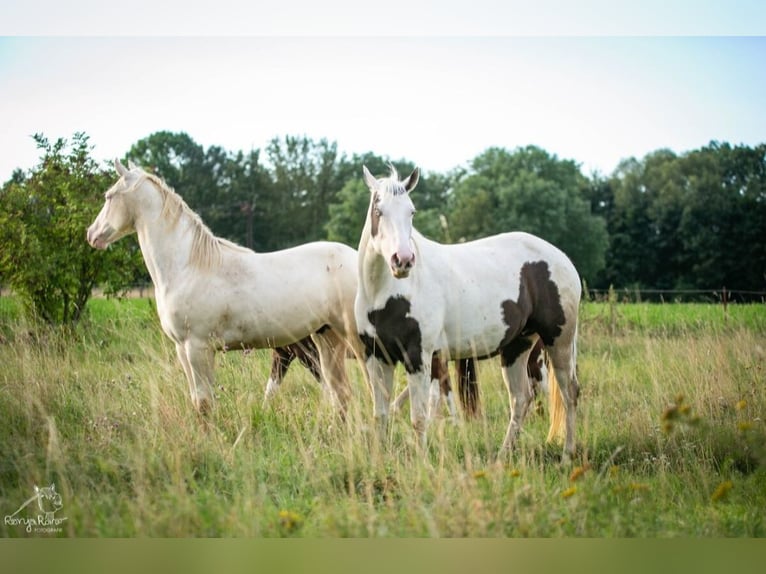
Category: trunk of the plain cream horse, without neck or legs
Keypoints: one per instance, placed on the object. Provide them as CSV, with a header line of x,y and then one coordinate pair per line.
x,y
266,299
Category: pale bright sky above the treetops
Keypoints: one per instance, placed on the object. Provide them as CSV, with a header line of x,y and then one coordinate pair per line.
x,y
582,86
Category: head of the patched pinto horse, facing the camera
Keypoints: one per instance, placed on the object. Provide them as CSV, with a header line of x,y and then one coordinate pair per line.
x,y
390,217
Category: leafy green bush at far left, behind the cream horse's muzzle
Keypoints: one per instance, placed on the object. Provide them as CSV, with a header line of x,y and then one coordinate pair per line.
x,y
44,256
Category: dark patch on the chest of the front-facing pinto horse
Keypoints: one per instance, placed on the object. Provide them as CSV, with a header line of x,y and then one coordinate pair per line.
x,y
398,338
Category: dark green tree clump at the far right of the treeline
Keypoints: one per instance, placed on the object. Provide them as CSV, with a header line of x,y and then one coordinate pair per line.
x,y
690,221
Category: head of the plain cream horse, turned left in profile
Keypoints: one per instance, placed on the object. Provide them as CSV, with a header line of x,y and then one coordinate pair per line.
x,y
117,217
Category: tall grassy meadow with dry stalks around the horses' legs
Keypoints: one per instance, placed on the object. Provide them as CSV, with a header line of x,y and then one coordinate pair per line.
x,y
671,439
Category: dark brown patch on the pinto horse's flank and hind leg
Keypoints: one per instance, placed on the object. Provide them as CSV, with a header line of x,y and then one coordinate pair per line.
x,y
538,310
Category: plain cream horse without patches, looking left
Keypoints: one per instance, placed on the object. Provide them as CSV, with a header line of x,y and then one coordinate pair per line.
x,y
212,294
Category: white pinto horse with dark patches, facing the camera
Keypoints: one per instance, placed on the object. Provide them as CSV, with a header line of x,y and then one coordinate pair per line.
x,y
493,296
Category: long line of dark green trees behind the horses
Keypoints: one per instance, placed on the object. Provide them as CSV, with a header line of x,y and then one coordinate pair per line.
x,y
666,221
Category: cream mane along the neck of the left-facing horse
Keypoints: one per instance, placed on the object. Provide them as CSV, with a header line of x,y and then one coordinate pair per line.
x,y
207,248
